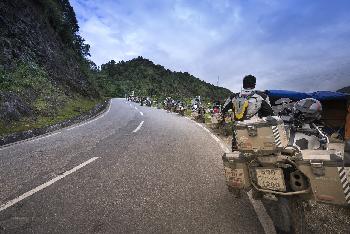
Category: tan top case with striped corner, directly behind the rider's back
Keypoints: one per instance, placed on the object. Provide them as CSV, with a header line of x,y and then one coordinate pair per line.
x,y
261,136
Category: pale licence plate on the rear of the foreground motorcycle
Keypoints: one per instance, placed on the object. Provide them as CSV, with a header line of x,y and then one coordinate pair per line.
x,y
271,179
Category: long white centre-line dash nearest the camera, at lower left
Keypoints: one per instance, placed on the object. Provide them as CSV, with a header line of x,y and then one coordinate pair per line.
x,y
41,187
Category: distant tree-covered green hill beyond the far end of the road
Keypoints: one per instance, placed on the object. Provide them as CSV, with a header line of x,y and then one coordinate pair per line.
x,y
149,79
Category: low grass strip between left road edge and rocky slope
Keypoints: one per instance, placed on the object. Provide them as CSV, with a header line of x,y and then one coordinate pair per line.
x,y
71,109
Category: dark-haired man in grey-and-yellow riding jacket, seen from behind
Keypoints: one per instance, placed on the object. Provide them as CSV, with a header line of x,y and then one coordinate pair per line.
x,y
249,102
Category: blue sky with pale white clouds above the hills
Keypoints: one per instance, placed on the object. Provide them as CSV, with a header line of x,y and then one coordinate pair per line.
x,y
301,45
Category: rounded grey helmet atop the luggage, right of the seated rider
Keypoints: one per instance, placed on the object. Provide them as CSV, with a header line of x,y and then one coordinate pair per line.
x,y
307,110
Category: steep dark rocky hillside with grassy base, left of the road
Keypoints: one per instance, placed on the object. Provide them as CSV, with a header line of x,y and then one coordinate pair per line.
x,y
44,73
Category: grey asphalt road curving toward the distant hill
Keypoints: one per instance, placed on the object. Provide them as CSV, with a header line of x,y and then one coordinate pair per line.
x,y
131,170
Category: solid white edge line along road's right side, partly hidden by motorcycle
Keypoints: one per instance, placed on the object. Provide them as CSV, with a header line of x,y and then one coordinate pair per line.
x,y
264,218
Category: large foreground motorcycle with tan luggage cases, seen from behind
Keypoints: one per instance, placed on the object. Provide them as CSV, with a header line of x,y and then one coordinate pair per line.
x,y
285,161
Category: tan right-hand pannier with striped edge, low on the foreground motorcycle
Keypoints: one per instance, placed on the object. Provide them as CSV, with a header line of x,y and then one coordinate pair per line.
x,y
328,178
